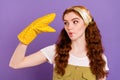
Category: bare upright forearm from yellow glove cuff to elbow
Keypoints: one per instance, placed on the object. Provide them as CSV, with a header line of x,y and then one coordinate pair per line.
x,y
18,55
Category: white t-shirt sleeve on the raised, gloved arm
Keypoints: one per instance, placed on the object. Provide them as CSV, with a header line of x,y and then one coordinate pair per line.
x,y
49,53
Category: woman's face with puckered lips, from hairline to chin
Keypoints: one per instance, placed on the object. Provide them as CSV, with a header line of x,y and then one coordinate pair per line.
x,y
74,26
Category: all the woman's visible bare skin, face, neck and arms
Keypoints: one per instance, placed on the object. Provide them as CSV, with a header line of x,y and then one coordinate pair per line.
x,y
75,29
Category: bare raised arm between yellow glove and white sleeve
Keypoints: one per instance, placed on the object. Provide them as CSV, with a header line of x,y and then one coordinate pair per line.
x,y
19,60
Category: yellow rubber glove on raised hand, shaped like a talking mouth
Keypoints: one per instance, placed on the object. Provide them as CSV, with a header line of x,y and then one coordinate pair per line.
x,y
36,27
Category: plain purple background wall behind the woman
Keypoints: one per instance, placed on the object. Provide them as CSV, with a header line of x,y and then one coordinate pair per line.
x,y
15,15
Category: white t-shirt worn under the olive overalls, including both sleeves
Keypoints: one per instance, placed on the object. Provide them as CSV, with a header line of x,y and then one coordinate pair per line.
x,y
49,53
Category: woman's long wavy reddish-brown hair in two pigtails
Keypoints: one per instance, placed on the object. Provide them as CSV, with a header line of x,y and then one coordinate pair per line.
x,y
94,49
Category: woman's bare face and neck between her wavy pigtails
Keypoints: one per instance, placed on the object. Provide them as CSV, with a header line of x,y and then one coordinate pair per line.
x,y
75,29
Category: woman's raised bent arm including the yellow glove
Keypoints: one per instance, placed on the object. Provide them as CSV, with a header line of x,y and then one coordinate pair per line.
x,y
19,60
